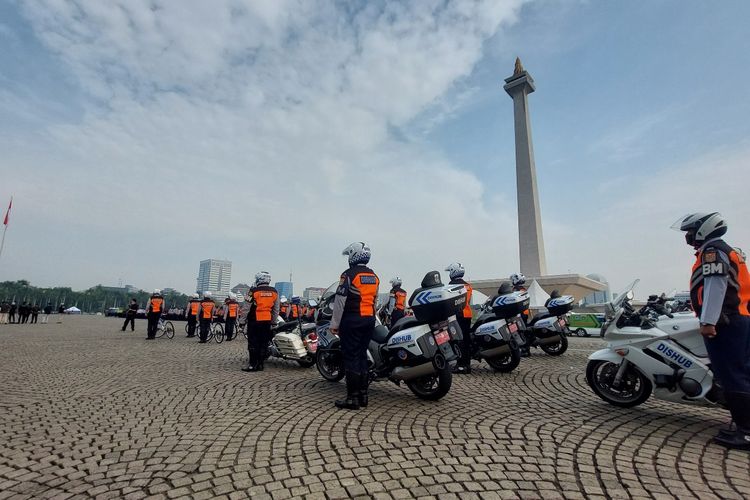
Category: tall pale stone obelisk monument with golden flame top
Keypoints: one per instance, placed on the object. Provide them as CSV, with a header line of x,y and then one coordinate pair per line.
x,y
530,237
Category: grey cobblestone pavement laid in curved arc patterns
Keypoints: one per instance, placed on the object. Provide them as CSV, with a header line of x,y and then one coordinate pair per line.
x,y
89,411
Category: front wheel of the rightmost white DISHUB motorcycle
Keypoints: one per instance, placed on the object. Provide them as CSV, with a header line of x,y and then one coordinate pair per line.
x,y
634,387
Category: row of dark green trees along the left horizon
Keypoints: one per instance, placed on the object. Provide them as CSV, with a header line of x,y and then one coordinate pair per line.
x,y
95,299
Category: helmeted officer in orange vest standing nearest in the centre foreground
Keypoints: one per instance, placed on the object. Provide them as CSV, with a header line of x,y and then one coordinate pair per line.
x,y
353,319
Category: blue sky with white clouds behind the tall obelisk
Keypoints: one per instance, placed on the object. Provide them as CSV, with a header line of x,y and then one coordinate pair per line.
x,y
139,141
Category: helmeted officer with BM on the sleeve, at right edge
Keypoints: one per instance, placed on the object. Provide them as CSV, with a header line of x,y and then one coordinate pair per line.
x,y
720,294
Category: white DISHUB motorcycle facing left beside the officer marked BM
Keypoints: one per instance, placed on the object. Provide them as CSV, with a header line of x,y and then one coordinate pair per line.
x,y
651,350
